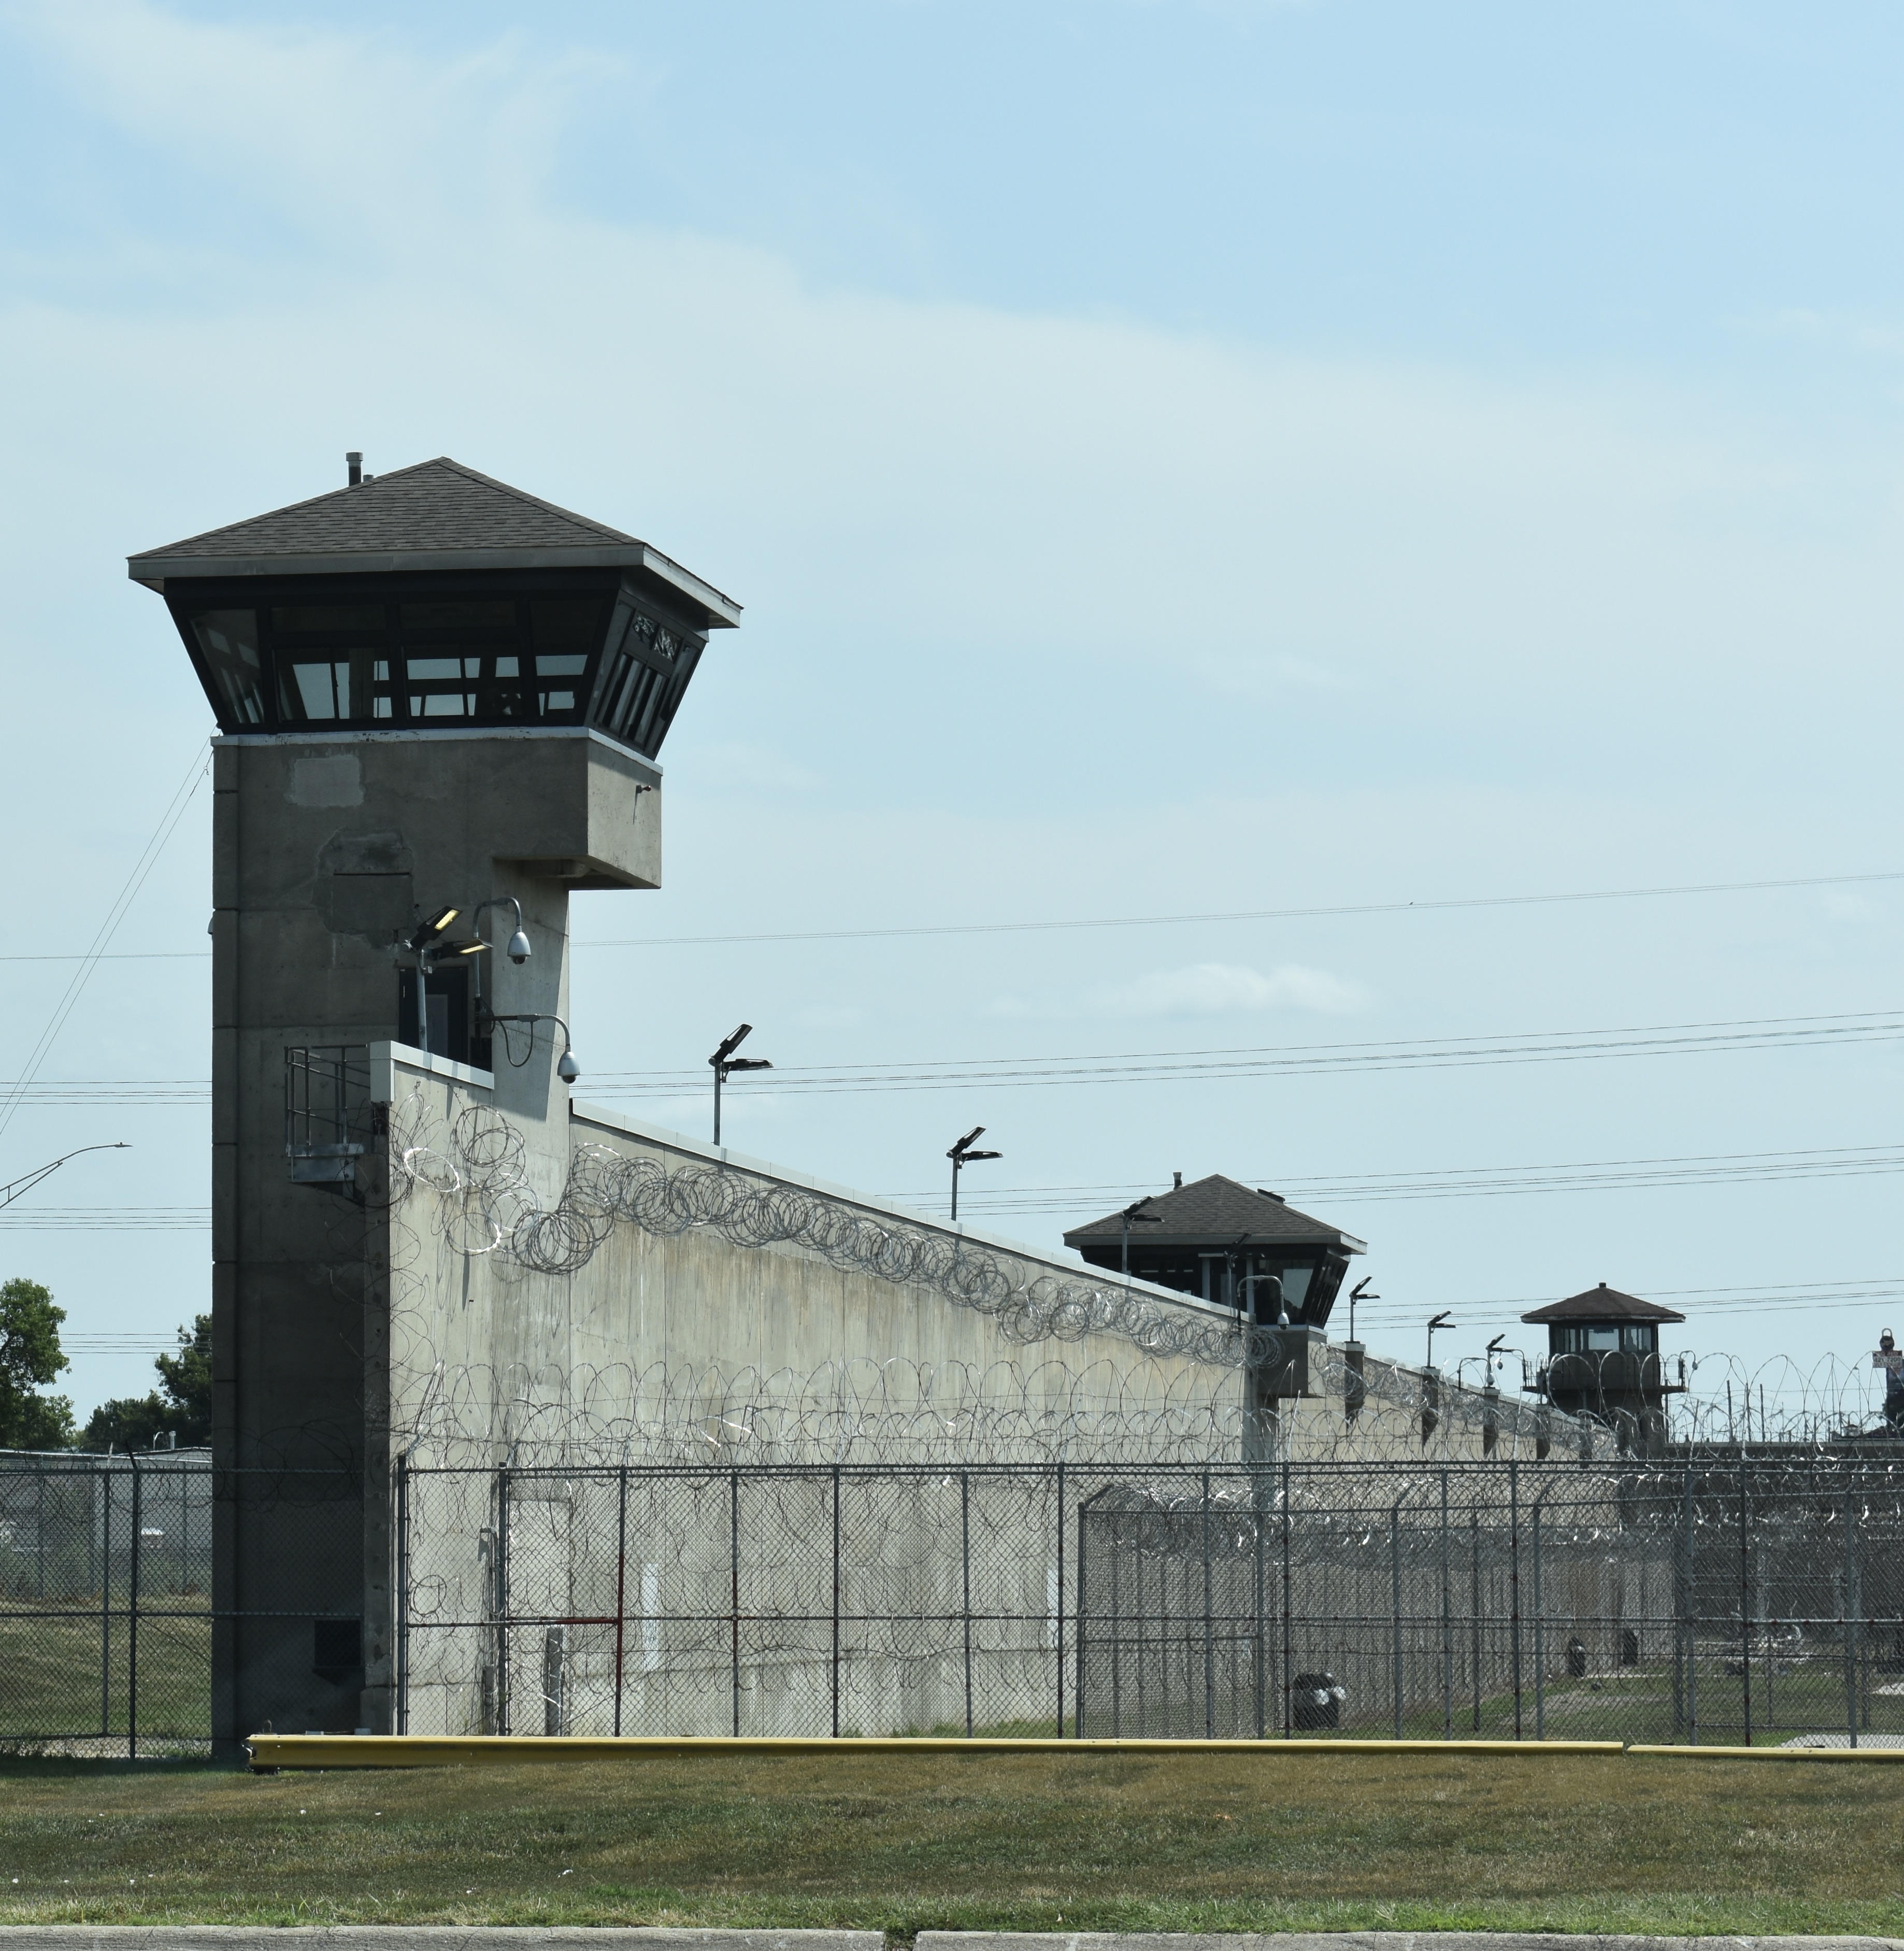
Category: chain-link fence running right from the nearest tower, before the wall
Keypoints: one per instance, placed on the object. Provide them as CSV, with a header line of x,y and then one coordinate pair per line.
x,y
1724,1601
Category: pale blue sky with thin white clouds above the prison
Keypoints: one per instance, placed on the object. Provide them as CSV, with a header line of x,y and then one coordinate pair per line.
x,y
1175,458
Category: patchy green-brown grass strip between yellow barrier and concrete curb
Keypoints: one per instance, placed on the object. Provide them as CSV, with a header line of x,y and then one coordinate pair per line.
x,y
1035,1843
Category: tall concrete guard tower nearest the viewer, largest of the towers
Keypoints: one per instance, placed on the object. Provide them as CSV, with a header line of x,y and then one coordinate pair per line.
x,y
434,692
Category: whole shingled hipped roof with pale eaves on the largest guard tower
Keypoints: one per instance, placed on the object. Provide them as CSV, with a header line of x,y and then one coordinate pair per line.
x,y
434,516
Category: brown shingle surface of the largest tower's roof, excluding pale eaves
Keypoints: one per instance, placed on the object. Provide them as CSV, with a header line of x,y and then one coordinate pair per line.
x,y
434,506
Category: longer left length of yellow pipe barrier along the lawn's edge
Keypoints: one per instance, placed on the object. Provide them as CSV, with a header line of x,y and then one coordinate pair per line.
x,y
454,1751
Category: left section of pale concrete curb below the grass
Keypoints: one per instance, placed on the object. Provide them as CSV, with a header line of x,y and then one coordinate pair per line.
x,y
415,1938
